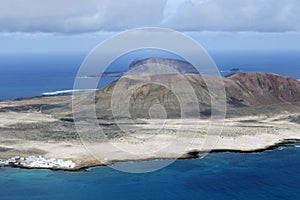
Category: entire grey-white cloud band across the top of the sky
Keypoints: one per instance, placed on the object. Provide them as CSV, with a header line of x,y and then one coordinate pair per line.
x,y
116,15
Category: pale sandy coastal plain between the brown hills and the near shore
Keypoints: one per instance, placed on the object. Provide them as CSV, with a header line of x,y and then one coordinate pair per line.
x,y
240,135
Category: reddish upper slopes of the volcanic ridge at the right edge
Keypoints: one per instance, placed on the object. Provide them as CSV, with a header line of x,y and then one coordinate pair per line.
x,y
262,88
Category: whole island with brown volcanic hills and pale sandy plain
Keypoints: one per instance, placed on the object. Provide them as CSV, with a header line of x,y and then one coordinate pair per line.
x,y
263,112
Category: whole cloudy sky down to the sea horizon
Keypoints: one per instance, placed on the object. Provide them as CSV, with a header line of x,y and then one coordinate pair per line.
x,y
77,24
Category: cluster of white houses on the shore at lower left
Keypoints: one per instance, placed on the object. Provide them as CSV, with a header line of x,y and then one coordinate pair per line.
x,y
38,162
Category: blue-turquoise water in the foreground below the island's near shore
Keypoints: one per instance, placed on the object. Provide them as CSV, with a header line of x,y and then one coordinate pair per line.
x,y
268,175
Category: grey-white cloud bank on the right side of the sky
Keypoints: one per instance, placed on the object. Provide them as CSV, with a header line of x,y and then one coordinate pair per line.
x,y
236,15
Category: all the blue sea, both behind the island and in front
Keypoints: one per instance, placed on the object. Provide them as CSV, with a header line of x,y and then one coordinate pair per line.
x,y
268,175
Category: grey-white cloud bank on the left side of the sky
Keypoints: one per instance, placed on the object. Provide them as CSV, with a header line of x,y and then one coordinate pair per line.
x,y
78,16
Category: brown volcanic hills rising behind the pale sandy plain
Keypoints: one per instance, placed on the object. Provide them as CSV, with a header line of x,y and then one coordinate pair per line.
x,y
247,94
